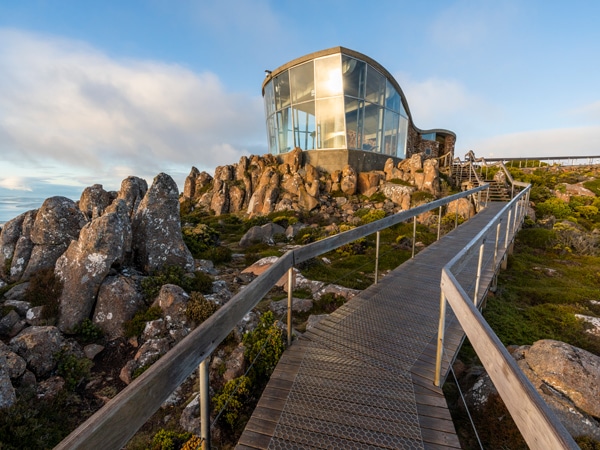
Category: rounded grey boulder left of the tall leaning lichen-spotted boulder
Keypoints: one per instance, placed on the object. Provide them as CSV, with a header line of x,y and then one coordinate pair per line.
x,y
57,223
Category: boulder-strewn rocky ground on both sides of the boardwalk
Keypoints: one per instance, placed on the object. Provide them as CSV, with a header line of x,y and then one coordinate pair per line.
x,y
96,255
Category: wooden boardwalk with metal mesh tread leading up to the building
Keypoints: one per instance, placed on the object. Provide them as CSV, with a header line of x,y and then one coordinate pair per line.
x,y
363,377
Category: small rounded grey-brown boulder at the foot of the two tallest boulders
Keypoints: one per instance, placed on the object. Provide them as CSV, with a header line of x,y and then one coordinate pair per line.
x,y
119,298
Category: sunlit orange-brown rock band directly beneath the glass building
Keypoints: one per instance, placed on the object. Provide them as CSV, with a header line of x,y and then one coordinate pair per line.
x,y
262,185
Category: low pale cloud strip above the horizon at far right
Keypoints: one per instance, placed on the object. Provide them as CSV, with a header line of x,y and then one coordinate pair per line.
x,y
577,141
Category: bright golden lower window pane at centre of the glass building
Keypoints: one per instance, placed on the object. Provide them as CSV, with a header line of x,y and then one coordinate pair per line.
x,y
330,123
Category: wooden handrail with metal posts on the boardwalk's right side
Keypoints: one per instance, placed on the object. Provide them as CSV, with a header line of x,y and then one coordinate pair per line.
x,y
540,428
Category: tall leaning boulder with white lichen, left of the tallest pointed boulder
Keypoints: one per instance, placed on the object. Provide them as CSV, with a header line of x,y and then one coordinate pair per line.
x,y
86,263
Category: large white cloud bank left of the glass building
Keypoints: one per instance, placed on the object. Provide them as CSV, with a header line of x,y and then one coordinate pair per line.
x,y
66,104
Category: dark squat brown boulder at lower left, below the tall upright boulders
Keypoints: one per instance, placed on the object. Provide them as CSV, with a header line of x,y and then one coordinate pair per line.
x,y
38,346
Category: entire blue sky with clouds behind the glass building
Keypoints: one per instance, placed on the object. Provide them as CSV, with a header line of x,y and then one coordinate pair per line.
x,y
92,92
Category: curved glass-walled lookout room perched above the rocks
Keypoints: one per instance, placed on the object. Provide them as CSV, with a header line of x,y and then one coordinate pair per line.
x,y
337,99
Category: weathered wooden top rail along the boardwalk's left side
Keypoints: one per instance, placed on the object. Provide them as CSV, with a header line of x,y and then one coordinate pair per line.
x,y
113,425
